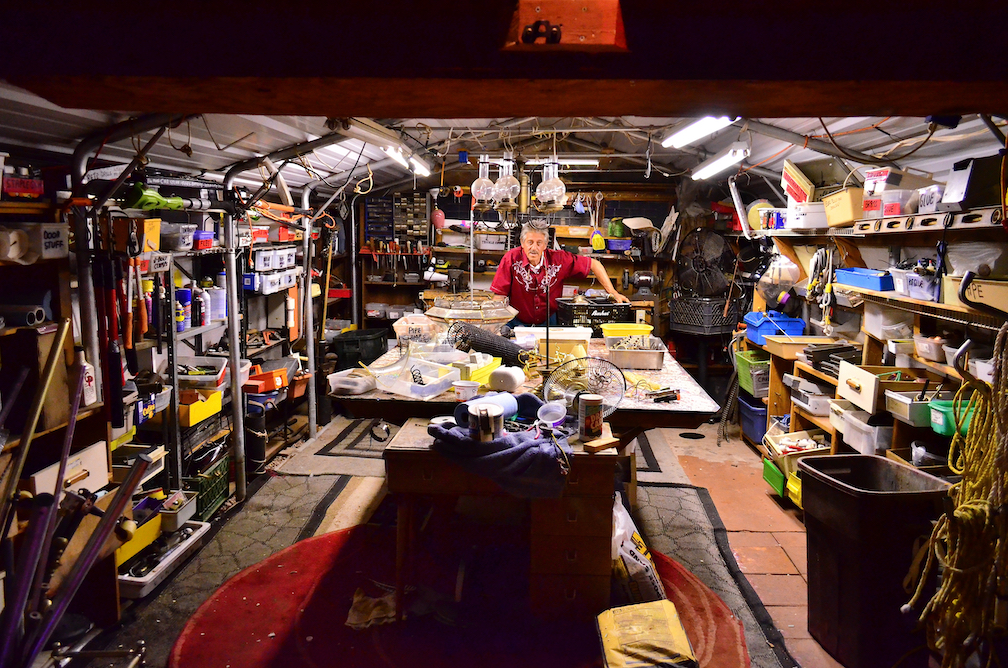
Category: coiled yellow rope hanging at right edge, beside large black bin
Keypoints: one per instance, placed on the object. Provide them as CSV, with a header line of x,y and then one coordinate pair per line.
x,y
971,540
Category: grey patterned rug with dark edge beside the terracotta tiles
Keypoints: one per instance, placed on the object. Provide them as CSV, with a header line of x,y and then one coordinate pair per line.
x,y
682,522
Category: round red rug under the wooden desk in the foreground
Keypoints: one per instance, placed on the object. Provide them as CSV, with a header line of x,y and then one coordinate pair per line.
x,y
291,609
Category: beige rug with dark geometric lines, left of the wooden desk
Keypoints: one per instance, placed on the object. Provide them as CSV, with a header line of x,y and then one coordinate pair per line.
x,y
344,448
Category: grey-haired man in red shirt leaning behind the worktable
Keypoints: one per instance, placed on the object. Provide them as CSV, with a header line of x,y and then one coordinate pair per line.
x,y
525,274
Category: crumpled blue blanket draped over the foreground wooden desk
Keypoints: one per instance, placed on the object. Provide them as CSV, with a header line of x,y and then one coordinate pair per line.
x,y
530,464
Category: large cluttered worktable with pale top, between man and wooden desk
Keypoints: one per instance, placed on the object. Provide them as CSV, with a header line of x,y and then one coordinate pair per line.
x,y
636,414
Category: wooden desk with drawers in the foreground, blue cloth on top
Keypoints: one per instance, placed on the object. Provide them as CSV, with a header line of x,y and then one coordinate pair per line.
x,y
570,537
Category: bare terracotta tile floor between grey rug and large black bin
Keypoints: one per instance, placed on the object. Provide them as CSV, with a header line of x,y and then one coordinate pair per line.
x,y
767,536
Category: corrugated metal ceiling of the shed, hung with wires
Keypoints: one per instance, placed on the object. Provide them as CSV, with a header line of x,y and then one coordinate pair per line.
x,y
625,145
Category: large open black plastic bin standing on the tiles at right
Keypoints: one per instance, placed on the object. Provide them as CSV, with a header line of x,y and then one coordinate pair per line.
x,y
863,515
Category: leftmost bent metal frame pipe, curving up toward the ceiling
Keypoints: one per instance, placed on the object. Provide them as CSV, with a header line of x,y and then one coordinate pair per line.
x,y
79,166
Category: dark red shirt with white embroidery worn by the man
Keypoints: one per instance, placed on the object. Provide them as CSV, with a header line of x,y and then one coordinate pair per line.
x,y
527,289
